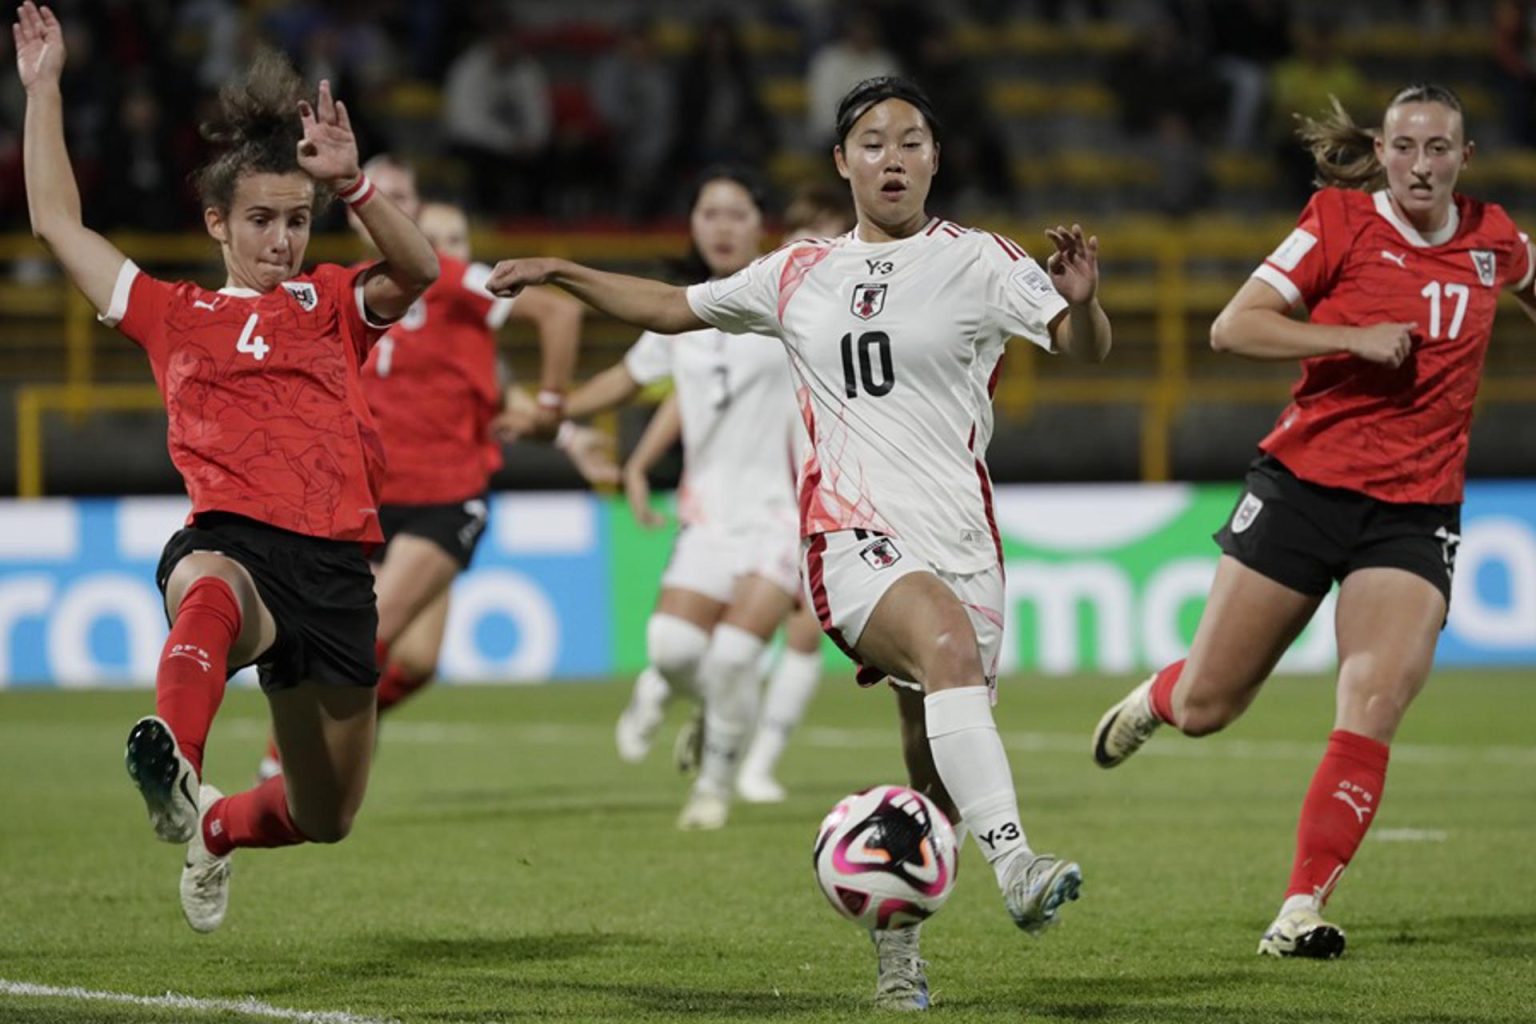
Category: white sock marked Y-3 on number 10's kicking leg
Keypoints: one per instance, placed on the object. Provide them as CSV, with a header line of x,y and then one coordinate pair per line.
x,y
975,768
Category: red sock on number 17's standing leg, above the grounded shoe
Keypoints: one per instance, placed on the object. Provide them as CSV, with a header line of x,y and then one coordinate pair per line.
x,y
1340,807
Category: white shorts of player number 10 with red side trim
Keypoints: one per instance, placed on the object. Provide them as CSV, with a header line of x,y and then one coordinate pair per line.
x,y
849,572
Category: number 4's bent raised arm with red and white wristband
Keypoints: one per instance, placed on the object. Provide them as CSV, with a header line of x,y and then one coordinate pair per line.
x,y
329,154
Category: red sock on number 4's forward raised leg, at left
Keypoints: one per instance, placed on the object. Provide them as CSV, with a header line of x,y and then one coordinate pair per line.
x,y
190,684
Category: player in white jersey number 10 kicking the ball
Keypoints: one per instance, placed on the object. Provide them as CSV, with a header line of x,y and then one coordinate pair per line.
x,y
895,334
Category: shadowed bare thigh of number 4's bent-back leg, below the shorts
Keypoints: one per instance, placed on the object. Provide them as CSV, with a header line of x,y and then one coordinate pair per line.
x,y
325,736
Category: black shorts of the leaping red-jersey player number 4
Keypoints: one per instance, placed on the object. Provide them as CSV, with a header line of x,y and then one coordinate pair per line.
x,y
320,595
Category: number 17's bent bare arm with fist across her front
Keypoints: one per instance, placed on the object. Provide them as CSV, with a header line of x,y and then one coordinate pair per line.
x,y
1257,325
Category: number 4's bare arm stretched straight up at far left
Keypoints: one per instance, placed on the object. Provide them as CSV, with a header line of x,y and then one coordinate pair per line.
x,y
53,200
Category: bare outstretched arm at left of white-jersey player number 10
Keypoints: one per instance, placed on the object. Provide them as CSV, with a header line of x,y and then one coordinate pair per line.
x,y
641,302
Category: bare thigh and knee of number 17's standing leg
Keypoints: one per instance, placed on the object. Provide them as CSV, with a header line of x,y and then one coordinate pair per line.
x,y
1388,627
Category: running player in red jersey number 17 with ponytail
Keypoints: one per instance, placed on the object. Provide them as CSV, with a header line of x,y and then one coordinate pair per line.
x,y
1362,480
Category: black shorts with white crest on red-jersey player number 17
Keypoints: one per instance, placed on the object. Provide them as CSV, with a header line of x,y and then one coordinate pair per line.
x,y
1306,537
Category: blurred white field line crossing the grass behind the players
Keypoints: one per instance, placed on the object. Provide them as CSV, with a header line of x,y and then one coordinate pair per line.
x,y
563,735
